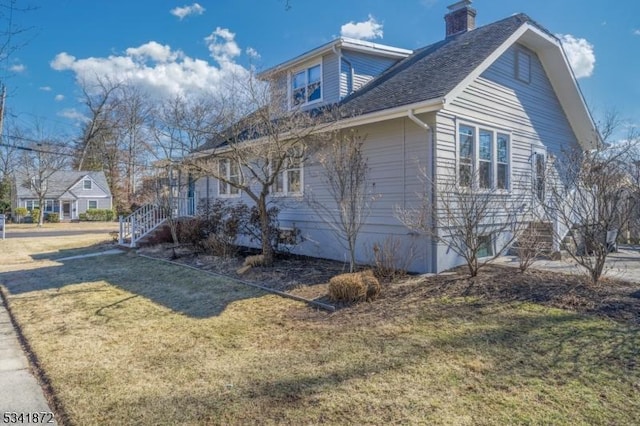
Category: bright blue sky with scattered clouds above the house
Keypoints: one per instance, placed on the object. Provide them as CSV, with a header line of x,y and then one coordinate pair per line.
x,y
180,46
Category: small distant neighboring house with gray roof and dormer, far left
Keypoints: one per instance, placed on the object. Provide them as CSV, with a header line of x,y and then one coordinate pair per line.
x,y
68,193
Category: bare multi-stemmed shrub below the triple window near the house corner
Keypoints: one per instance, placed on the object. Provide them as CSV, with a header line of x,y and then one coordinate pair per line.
x,y
476,224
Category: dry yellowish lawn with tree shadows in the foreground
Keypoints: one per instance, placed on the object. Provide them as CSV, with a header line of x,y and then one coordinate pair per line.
x,y
128,340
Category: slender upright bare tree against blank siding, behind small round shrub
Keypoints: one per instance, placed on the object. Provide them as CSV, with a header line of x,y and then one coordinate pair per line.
x,y
345,172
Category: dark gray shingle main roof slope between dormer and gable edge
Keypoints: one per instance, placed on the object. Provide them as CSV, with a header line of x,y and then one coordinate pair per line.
x,y
433,71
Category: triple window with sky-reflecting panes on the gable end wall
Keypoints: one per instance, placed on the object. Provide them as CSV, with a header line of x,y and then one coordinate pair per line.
x,y
484,160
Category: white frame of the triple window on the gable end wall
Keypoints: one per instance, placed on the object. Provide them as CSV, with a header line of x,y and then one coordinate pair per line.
x,y
476,160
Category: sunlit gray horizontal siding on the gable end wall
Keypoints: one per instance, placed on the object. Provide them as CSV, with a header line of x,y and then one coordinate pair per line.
x,y
529,112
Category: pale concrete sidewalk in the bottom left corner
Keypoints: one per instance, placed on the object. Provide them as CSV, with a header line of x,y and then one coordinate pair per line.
x,y
19,389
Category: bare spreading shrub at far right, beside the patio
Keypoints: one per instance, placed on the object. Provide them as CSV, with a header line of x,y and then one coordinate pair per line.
x,y
590,196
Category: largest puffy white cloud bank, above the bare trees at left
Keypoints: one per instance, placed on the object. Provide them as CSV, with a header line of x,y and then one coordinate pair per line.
x,y
160,70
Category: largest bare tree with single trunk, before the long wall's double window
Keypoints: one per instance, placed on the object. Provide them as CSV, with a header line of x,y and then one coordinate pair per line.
x,y
261,149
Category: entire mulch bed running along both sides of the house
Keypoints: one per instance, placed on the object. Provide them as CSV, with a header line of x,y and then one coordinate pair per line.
x,y
308,277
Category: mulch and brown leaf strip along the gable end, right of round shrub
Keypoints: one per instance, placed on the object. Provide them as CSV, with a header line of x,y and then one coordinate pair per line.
x,y
613,299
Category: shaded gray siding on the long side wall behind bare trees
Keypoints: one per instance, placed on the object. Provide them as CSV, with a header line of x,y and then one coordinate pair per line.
x,y
396,151
